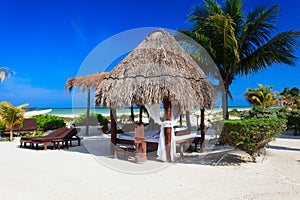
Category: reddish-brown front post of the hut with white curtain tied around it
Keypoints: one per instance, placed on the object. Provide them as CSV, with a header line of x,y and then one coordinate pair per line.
x,y
167,130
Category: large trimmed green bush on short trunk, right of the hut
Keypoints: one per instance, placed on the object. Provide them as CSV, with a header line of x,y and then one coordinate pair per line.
x,y
251,135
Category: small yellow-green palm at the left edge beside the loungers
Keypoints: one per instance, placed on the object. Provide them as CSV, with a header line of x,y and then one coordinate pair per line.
x,y
11,115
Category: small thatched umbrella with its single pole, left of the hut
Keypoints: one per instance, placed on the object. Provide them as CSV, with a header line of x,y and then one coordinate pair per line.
x,y
86,82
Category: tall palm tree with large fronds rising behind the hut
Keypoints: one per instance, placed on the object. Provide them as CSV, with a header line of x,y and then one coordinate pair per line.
x,y
240,44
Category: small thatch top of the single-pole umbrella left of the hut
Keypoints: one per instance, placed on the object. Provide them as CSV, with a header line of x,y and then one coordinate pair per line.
x,y
88,81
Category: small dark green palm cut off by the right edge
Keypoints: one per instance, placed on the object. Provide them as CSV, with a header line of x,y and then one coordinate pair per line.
x,y
290,97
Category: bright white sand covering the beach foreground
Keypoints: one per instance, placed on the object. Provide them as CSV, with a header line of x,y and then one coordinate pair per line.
x,y
78,174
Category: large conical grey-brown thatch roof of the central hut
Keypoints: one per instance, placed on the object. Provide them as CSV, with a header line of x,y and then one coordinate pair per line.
x,y
157,68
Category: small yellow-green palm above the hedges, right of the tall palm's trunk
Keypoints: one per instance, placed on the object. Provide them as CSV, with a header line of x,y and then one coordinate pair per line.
x,y
261,96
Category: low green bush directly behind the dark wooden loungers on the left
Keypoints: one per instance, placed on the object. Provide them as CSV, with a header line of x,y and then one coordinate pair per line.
x,y
49,122
